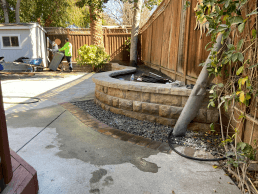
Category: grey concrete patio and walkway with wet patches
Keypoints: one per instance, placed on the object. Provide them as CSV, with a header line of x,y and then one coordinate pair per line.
x,y
72,157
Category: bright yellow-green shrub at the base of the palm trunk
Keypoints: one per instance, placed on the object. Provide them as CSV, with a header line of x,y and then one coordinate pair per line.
x,y
92,55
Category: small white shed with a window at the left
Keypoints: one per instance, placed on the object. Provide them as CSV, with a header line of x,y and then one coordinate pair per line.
x,y
23,40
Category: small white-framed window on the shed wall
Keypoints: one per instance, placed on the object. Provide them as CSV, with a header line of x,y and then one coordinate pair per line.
x,y
10,41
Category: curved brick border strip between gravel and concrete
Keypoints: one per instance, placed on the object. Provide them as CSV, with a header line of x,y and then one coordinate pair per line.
x,y
104,129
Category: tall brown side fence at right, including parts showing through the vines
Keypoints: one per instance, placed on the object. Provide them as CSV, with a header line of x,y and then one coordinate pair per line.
x,y
170,44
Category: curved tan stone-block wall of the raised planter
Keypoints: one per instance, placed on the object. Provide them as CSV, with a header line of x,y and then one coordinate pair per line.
x,y
158,103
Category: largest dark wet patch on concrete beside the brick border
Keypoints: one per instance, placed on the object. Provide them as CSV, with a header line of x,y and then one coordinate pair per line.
x,y
75,137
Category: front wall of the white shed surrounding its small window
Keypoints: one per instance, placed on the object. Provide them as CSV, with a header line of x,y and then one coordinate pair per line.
x,y
25,43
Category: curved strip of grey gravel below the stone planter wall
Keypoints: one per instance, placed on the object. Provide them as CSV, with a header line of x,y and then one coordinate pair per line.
x,y
157,132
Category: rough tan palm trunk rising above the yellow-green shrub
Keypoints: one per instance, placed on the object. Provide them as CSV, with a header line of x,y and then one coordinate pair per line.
x,y
96,27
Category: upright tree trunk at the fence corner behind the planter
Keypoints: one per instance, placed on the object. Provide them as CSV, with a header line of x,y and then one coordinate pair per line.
x,y
135,31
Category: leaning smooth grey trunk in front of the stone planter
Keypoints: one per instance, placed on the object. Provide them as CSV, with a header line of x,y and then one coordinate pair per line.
x,y
198,93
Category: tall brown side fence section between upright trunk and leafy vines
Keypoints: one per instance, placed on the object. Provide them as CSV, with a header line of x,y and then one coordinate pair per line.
x,y
169,43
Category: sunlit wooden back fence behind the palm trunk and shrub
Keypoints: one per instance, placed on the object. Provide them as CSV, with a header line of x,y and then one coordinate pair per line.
x,y
114,40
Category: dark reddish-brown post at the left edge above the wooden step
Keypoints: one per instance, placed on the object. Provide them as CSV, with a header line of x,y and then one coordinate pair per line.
x,y
4,144
